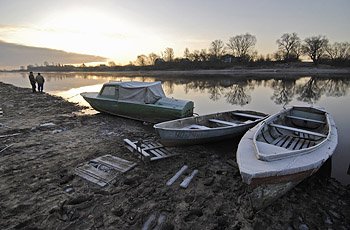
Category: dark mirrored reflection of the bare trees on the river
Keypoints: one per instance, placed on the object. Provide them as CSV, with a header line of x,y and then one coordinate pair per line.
x,y
237,92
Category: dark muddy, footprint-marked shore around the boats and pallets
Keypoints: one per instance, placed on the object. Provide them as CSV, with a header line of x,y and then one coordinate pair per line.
x,y
38,188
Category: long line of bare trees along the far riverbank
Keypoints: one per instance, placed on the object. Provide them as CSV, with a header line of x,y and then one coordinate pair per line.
x,y
241,48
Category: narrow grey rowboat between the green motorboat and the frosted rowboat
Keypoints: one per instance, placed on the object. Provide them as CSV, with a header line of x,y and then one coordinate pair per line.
x,y
207,128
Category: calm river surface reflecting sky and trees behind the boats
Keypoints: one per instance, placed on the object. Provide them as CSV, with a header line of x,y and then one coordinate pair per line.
x,y
221,93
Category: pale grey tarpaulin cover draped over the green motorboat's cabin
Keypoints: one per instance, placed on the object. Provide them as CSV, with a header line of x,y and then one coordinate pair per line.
x,y
143,92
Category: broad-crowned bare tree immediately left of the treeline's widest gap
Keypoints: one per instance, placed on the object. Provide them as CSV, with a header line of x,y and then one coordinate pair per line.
x,y
242,45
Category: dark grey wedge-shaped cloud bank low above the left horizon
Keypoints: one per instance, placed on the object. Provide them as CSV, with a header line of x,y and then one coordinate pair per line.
x,y
12,56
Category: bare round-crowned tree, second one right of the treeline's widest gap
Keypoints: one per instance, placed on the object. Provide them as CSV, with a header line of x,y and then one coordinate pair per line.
x,y
315,47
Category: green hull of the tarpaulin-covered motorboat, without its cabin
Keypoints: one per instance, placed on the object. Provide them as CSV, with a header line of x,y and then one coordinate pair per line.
x,y
152,113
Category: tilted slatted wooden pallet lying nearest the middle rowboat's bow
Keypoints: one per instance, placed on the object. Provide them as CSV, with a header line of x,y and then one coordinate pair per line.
x,y
148,151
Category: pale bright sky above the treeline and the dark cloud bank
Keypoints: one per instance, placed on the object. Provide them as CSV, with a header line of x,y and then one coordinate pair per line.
x,y
121,30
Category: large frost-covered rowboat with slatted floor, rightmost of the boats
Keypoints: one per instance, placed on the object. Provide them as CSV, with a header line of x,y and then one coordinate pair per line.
x,y
280,152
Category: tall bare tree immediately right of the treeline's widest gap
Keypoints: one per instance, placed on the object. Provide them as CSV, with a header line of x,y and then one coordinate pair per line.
x,y
289,45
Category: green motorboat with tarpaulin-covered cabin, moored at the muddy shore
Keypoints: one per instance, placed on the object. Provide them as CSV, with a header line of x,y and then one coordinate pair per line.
x,y
144,101
